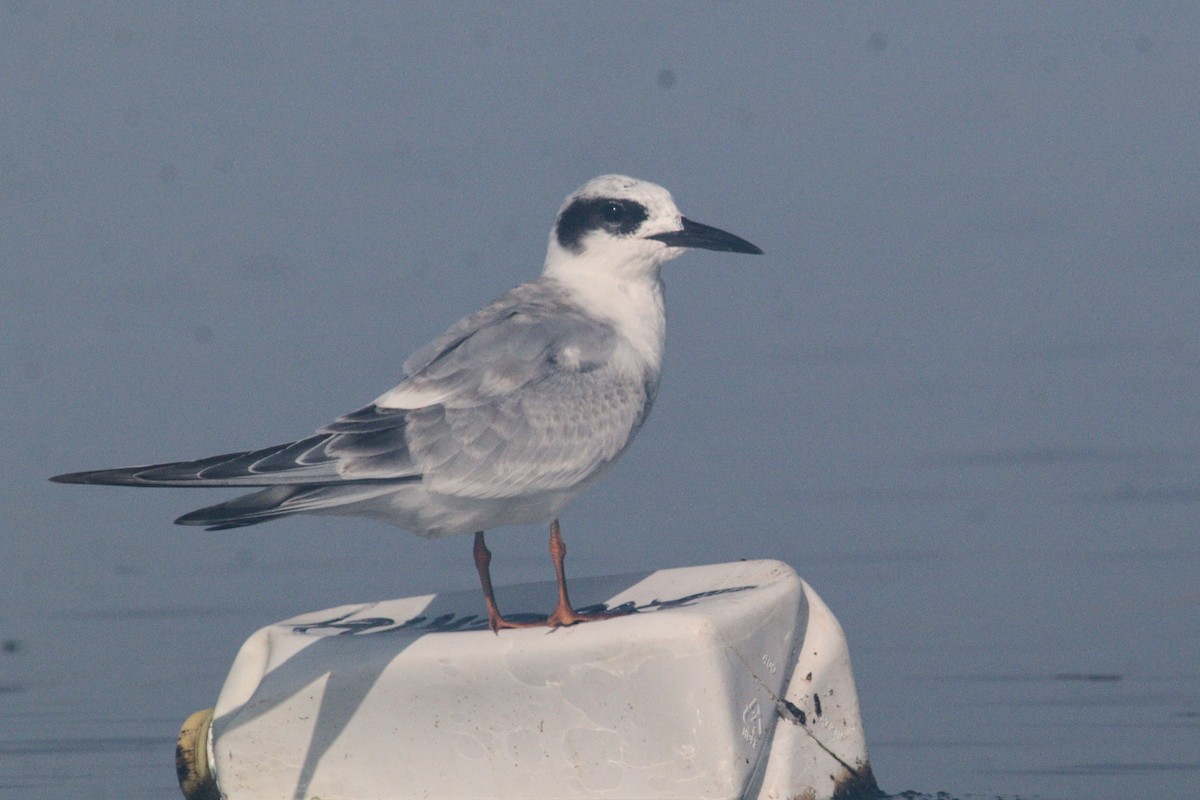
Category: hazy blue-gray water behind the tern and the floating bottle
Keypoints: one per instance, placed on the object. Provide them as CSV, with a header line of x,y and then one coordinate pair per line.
x,y
959,394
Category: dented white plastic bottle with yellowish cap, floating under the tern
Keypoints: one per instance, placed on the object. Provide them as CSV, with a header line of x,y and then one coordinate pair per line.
x,y
730,681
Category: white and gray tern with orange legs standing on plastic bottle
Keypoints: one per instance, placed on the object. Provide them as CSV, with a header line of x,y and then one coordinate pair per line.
x,y
506,418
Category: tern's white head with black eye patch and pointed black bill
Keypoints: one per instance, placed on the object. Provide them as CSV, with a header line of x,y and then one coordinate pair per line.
x,y
627,228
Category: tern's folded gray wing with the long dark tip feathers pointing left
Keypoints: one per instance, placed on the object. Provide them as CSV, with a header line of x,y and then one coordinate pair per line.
x,y
521,398
